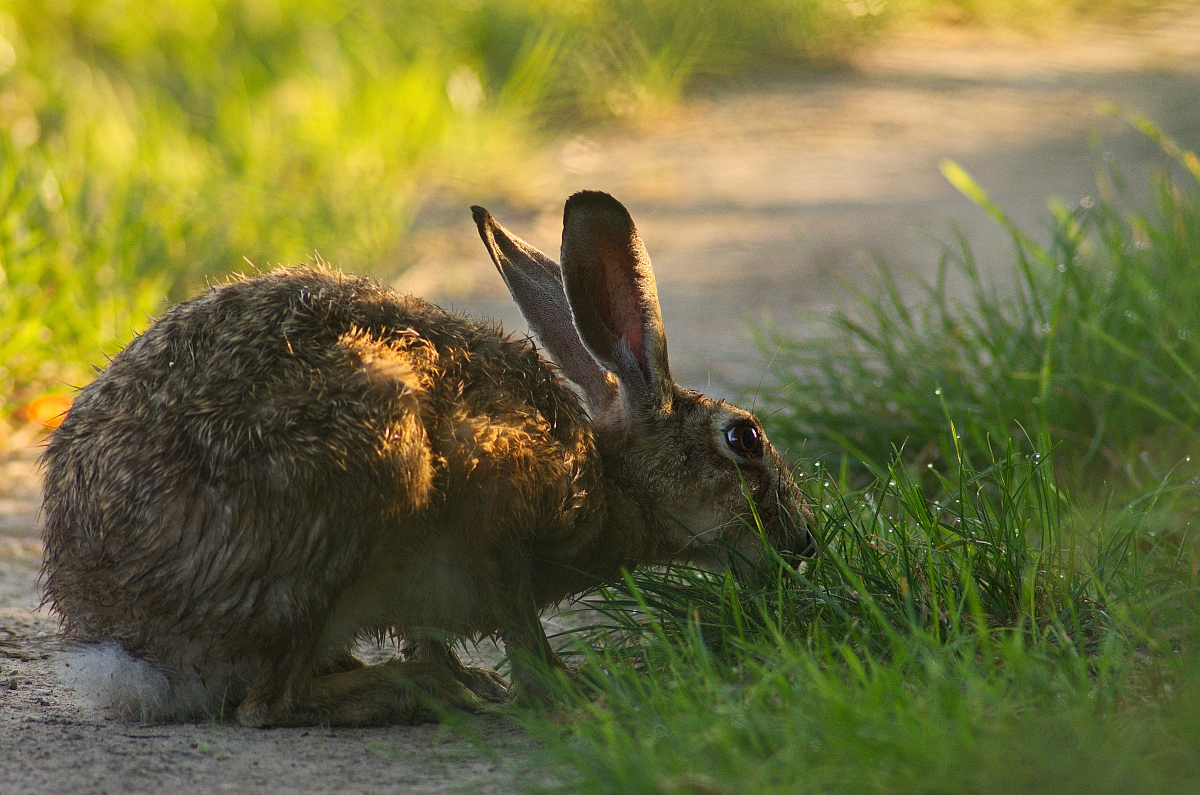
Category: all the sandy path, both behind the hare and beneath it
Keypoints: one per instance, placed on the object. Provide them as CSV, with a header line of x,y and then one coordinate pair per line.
x,y
752,204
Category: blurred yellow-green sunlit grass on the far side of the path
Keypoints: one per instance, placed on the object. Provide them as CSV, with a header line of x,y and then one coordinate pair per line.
x,y
147,148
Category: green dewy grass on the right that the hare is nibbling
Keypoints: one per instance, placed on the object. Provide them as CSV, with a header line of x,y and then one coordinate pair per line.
x,y
991,611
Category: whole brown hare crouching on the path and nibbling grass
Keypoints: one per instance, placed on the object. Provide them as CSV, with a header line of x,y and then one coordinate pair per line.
x,y
292,462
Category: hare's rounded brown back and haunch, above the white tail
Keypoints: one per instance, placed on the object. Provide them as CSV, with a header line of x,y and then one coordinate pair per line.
x,y
235,462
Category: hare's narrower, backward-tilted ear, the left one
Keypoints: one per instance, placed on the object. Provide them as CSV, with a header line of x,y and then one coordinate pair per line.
x,y
536,283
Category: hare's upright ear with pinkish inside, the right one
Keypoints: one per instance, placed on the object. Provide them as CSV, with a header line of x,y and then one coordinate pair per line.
x,y
614,297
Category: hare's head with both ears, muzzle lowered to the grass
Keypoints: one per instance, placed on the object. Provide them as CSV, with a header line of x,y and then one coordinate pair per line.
x,y
699,470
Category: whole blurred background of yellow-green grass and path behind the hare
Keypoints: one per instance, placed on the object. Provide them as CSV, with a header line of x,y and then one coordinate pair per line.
x,y
771,152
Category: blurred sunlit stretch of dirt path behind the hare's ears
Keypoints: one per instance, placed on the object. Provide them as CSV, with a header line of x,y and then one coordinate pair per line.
x,y
754,202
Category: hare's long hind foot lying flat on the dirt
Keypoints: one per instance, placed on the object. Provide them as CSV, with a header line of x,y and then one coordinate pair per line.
x,y
394,692
